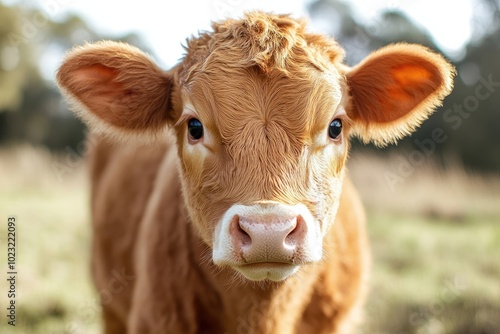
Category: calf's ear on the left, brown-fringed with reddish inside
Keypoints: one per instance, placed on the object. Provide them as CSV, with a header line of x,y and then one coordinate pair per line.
x,y
116,88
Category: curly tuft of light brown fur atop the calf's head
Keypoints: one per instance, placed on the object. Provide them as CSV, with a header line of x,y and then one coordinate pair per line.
x,y
269,42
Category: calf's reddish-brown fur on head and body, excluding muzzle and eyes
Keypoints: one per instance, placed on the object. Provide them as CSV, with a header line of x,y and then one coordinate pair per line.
x,y
265,91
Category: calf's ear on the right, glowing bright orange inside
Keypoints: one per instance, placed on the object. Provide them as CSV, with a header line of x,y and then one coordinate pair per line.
x,y
394,89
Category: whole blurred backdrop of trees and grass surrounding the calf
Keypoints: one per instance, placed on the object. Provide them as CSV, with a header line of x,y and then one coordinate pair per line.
x,y
433,208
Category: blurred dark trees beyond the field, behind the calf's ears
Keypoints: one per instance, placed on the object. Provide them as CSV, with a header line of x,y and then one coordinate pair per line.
x,y
31,108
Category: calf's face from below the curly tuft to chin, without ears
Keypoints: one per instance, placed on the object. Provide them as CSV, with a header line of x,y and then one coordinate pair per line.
x,y
262,159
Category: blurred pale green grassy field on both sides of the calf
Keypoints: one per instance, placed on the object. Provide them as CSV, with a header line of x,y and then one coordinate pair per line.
x,y
435,238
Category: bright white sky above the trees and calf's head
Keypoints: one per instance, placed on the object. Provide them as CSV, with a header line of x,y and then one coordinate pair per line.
x,y
165,26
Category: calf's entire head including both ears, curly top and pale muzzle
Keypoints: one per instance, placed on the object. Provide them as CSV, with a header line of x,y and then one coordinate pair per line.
x,y
262,112
